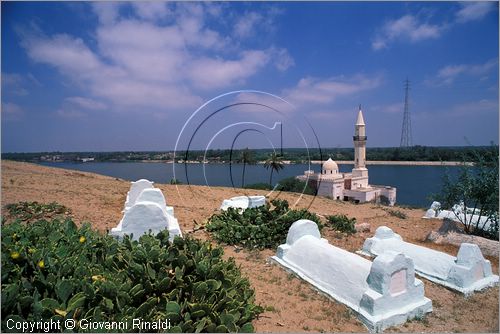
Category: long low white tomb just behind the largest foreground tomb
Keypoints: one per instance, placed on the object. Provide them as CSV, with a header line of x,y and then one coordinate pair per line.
x,y
468,272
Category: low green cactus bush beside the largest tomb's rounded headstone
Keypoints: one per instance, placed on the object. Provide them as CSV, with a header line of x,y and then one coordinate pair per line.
x,y
260,227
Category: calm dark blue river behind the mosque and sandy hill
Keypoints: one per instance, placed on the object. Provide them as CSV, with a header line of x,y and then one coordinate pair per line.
x,y
414,183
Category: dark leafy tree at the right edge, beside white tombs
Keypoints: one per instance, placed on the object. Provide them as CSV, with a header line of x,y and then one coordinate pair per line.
x,y
475,192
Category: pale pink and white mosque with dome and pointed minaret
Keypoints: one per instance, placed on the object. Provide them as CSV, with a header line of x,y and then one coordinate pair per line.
x,y
352,186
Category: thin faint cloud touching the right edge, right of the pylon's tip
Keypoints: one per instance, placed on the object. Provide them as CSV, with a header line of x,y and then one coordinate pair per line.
x,y
448,74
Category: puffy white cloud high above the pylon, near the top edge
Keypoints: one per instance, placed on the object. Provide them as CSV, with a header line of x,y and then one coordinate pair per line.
x,y
407,27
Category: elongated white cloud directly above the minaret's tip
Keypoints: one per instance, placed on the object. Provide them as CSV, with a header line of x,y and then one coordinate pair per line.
x,y
323,91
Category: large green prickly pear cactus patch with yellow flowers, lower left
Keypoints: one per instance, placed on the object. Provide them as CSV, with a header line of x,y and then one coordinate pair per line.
x,y
56,271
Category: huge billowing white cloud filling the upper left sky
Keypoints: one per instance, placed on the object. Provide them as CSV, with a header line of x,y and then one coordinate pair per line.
x,y
142,64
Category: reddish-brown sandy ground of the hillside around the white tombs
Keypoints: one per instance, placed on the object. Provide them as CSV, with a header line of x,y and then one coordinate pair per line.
x,y
291,305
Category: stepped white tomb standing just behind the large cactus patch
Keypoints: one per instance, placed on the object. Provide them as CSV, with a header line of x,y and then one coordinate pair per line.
x,y
148,212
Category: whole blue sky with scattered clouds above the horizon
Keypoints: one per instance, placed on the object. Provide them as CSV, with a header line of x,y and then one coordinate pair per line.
x,y
112,76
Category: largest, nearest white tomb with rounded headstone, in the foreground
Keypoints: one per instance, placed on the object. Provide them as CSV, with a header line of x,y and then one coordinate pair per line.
x,y
383,293
